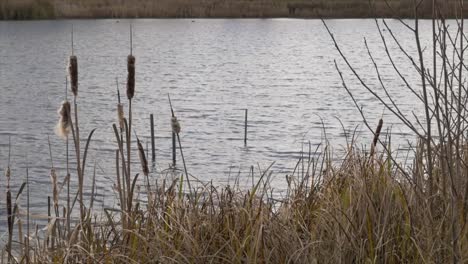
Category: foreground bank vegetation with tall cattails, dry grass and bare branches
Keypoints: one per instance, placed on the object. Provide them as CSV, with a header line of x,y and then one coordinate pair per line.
x,y
367,208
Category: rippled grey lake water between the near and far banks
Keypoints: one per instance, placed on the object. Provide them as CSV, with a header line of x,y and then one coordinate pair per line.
x,y
281,70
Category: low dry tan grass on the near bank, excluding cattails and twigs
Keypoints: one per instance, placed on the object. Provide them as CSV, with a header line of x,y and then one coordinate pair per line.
x,y
362,210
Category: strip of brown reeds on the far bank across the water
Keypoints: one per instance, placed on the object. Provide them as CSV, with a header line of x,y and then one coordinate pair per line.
x,y
305,9
